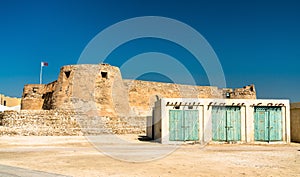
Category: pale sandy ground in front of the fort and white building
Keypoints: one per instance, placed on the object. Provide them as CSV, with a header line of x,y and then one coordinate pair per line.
x,y
77,156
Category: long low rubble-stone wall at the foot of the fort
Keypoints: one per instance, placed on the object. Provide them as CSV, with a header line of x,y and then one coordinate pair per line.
x,y
66,123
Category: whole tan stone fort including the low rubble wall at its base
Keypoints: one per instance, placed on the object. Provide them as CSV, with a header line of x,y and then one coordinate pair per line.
x,y
95,99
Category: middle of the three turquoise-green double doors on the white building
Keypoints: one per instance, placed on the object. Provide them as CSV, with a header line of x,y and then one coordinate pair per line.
x,y
226,123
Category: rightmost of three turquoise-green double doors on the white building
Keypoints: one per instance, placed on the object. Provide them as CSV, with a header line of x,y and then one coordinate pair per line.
x,y
268,124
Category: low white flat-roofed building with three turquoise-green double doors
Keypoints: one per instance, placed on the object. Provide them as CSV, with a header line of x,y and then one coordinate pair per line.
x,y
179,120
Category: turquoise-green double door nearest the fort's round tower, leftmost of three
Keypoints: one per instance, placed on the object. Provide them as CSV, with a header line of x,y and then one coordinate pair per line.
x,y
183,125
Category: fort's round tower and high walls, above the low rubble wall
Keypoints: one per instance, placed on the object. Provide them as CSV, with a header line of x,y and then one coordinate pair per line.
x,y
101,89
